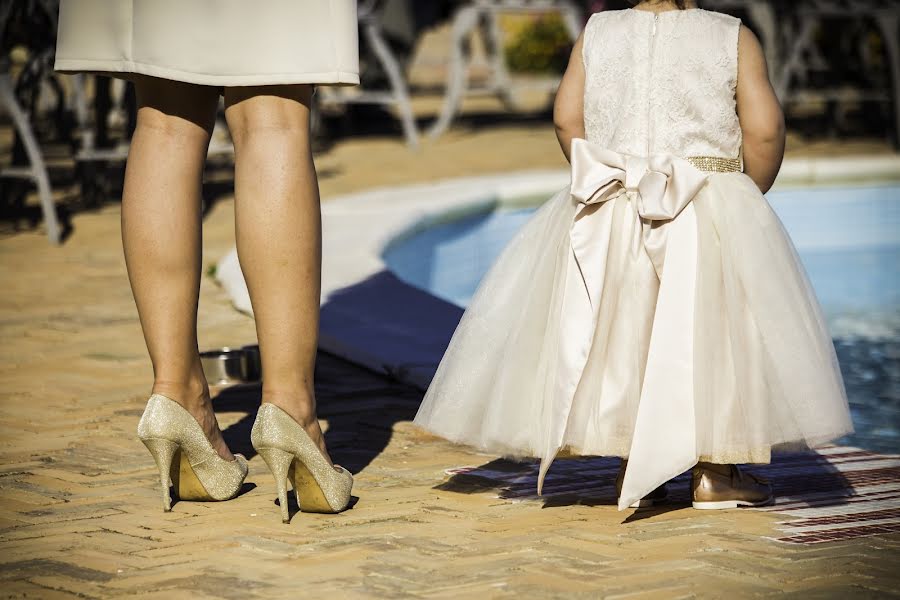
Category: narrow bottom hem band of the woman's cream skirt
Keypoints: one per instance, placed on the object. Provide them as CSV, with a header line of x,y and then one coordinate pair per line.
x,y
123,68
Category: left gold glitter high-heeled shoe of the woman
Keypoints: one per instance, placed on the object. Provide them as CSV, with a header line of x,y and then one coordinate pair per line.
x,y
185,458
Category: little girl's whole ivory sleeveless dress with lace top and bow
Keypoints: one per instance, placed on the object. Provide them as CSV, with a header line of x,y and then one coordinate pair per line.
x,y
656,308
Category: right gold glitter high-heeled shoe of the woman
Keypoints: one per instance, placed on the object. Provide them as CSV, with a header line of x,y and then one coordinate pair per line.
x,y
292,455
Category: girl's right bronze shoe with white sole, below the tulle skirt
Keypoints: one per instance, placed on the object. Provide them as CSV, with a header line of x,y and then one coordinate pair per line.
x,y
725,486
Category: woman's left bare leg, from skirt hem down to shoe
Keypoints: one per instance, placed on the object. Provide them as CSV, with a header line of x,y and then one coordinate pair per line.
x,y
161,211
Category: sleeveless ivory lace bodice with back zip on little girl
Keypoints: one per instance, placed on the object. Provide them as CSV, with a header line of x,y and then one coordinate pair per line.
x,y
662,83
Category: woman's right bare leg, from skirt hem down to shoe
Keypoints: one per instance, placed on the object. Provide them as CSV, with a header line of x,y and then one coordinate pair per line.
x,y
279,239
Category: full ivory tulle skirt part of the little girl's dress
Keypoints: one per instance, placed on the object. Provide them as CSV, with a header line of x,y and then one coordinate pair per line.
x,y
759,367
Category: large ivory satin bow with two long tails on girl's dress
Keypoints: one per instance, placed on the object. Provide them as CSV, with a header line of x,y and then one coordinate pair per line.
x,y
661,188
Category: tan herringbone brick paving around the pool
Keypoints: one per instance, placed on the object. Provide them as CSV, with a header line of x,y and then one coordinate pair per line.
x,y
80,515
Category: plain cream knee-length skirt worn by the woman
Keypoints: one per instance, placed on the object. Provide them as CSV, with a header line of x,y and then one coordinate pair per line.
x,y
212,42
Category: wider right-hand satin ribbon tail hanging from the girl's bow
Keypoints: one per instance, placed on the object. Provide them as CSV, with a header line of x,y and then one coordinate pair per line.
x,y
665,441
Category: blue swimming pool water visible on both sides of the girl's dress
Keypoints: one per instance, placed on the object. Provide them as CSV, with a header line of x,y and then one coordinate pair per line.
x,y
847,238
